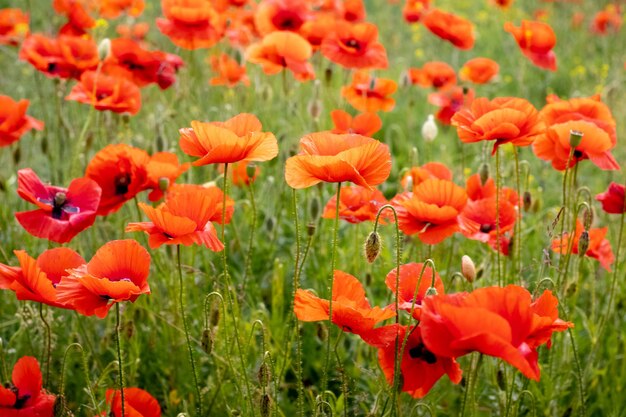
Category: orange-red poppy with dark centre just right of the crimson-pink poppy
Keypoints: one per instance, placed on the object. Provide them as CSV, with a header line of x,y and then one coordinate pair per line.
x,y
121,172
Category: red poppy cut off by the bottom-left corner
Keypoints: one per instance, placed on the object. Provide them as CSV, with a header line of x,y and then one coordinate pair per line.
x,y
25,396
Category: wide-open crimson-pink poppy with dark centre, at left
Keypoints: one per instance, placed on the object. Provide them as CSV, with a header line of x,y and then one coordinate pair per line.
x,y
62,212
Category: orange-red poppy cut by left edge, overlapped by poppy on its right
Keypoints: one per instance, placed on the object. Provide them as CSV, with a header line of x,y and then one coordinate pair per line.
x,y
36,279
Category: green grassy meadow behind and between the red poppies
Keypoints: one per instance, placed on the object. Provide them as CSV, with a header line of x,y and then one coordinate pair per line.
x,y
245,337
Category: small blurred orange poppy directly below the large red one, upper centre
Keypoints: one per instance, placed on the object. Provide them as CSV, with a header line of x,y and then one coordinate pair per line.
x,y
370,94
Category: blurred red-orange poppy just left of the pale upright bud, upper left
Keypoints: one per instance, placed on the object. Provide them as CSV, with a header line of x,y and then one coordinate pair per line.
x,y
63,57
